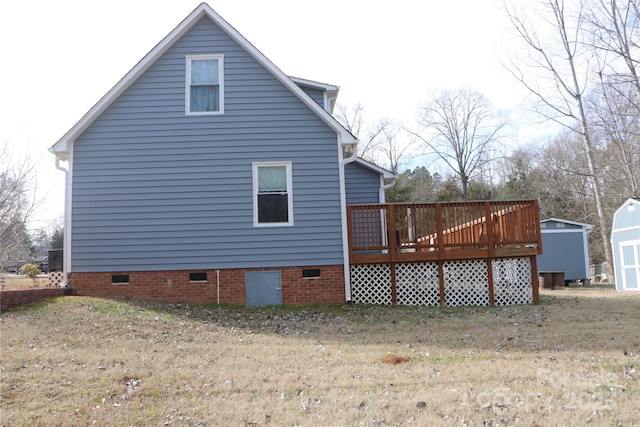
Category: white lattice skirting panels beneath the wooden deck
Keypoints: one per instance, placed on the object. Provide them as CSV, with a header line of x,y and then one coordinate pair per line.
x,y
465,283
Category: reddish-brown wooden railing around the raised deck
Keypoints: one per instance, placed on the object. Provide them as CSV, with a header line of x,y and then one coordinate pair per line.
x,y
411,232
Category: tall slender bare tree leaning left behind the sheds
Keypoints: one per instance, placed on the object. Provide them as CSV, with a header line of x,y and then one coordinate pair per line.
x,y
558,57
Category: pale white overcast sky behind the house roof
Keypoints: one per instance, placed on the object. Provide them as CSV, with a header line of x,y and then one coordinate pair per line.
x,y
60,57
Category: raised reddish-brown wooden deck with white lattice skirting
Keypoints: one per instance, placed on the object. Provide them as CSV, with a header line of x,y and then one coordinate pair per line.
x,y
464,253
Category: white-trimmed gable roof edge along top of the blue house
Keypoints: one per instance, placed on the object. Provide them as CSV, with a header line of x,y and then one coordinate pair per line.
x,y
63,146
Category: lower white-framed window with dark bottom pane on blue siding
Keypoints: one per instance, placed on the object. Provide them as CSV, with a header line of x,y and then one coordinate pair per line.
x,y
272,196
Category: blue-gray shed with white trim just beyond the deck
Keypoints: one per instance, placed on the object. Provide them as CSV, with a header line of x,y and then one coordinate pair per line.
x,y
565,248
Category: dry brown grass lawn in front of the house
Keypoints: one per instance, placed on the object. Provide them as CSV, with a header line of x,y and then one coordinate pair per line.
x,y
572,360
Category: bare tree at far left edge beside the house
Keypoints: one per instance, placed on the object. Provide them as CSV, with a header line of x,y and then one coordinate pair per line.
x,y
17,179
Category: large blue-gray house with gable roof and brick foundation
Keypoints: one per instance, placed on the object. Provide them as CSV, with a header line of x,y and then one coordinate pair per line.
x,y
208,175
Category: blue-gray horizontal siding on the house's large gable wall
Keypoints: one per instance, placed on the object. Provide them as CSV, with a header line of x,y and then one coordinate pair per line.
x,y
154,189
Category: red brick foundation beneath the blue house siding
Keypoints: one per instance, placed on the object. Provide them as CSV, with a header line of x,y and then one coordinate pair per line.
x,y
175,286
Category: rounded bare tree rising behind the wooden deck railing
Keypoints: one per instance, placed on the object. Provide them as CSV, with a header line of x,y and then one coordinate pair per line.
x,y
461,128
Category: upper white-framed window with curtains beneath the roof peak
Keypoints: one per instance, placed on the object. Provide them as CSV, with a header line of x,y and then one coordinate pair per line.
x,y
205,89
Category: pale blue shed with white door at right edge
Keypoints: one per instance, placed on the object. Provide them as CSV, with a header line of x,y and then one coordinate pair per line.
x,y
625,245
